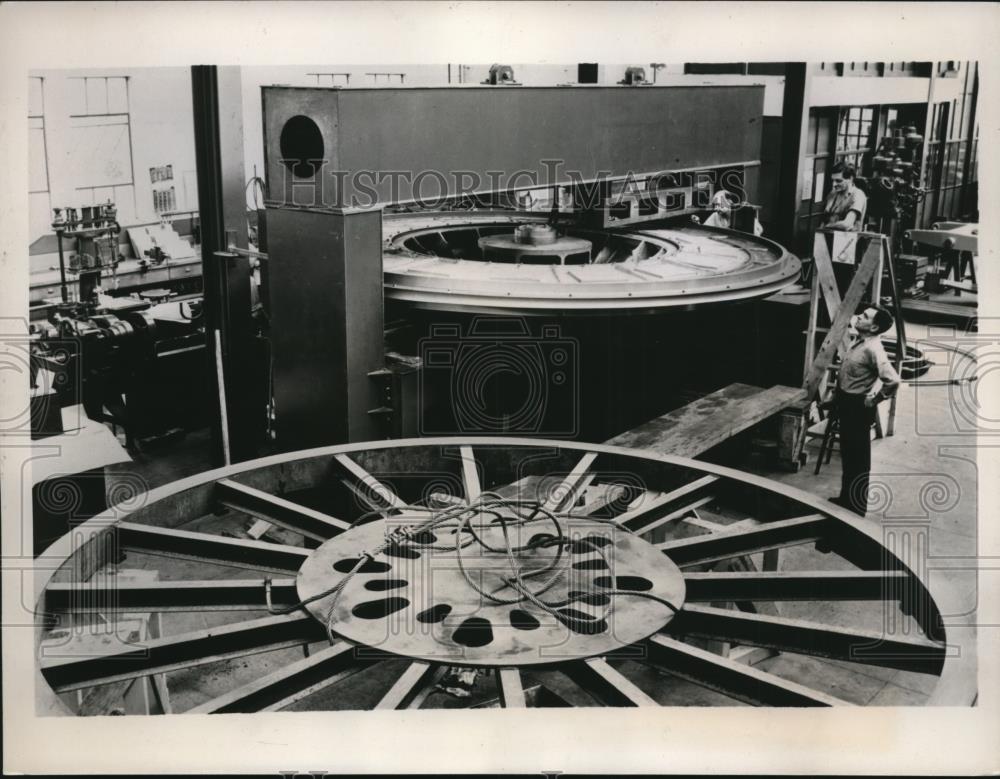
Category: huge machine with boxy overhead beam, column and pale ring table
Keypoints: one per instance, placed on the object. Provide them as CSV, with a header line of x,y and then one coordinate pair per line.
x,y
557,223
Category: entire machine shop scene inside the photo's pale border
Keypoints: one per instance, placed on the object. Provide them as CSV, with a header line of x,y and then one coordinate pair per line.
x,y
378,387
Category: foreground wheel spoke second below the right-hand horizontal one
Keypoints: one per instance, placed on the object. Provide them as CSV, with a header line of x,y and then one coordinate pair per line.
x,y
731,678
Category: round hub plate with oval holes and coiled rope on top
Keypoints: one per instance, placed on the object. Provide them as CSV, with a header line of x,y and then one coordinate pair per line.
x,y
413,599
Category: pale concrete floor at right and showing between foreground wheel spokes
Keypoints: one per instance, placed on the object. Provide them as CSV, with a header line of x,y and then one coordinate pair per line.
x,y
924,477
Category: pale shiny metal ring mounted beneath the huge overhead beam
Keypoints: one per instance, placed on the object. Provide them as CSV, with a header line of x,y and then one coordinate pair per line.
x,y
688,266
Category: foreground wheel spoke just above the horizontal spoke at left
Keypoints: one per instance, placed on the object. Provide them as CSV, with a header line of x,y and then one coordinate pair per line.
x,y
256,555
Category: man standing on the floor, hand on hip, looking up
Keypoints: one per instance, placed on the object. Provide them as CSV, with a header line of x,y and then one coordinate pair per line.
x,y
864,364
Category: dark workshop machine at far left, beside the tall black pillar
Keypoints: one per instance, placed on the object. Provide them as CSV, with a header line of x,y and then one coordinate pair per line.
x,y
127,356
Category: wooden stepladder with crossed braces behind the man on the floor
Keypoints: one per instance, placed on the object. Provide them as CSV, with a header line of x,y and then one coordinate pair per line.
x,y
869,252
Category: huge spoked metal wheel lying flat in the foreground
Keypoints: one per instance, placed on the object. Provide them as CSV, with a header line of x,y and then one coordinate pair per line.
x,y
477,572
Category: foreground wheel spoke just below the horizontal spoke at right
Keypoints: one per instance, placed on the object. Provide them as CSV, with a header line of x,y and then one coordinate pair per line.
x,y
810,638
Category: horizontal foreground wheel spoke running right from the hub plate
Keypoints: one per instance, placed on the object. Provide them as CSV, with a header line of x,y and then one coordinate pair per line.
x,y
794,585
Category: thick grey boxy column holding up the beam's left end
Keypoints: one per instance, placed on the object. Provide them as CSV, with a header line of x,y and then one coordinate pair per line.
x,y
327,324
